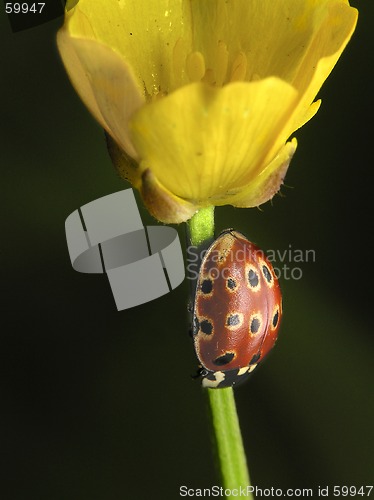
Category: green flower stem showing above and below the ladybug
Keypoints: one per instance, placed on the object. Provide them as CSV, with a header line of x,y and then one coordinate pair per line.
x,y
227,439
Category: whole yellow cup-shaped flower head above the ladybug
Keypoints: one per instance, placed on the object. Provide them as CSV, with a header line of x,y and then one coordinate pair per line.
x,y
199,97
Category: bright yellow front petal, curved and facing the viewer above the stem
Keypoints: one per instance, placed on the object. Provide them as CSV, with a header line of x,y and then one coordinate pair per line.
x,y
203,143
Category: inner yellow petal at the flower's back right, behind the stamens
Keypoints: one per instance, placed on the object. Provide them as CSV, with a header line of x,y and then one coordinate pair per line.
x,y
284,39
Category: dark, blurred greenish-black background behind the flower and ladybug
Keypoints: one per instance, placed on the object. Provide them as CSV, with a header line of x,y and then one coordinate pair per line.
x,y
99,404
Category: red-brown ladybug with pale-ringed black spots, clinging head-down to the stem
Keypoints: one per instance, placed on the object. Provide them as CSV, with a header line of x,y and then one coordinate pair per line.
x,y
237,310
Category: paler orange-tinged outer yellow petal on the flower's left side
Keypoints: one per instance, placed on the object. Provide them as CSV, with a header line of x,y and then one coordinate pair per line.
x,y
105,84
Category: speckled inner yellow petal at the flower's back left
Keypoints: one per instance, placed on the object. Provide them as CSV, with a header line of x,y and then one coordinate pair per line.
x,y
143,33
